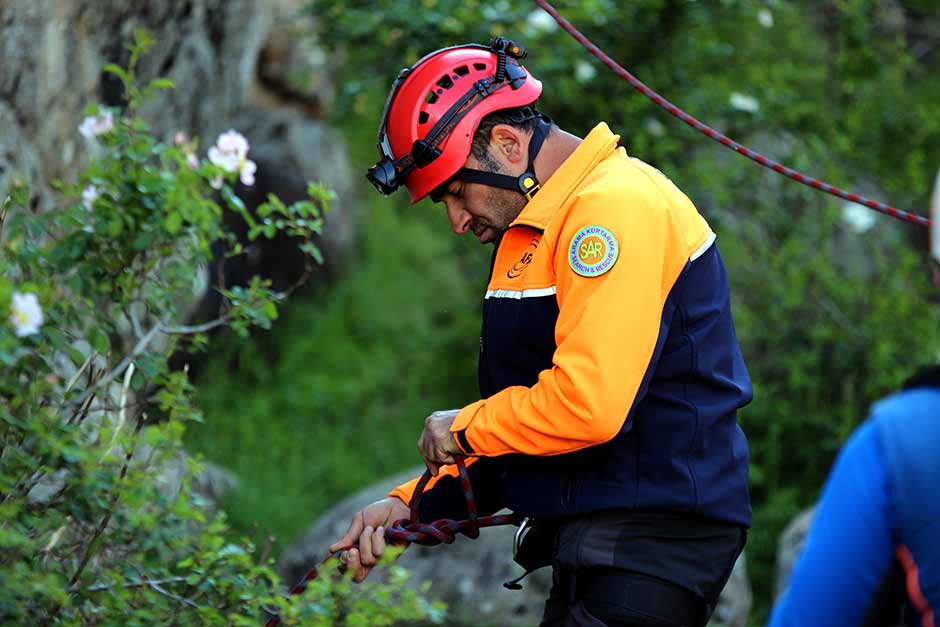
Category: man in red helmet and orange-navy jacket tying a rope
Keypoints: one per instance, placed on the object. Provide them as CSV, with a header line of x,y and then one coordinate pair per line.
x,y
610,373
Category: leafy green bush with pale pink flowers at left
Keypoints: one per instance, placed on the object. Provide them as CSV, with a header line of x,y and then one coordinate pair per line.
x,y
92,532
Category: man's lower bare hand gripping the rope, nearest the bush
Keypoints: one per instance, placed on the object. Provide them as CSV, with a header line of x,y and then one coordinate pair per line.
x,y
364,541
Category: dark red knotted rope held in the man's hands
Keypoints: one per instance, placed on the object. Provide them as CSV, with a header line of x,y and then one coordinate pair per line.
x,y
441,531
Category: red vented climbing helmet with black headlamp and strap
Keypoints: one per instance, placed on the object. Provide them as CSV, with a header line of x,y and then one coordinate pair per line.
x,y
434,109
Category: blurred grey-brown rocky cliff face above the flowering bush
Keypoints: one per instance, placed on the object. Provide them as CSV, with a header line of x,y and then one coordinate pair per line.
x,y
239,64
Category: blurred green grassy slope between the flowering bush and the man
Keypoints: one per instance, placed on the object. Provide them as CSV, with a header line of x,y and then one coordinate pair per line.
x,y
349,373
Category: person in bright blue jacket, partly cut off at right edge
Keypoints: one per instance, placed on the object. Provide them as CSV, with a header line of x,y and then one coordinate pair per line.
x,y
872,556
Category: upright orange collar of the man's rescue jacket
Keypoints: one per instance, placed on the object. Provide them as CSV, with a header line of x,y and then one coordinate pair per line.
x,y
597,146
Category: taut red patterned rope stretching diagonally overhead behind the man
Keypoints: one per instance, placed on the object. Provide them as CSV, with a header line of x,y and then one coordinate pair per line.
x,y
724,140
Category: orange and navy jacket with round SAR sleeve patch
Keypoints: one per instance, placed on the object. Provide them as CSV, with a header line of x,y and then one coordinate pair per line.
x,y
610,372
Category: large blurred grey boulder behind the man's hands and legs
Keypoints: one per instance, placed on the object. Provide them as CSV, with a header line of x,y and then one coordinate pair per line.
x,y
468,574
